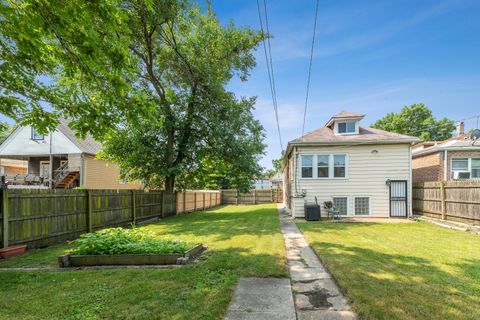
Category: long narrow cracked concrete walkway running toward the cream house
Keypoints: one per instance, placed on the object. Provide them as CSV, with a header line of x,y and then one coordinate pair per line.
x,y
315,293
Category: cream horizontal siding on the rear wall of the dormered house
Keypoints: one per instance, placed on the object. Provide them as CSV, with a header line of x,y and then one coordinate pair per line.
x,y
367,176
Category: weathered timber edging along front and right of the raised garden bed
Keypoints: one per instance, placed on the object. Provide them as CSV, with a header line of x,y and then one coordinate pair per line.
x,y
69,260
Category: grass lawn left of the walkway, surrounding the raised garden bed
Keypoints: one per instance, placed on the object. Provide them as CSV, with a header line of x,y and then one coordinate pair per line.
x,y
242,241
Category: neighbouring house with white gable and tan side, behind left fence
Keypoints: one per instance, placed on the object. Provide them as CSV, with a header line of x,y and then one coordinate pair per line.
x,y
63,159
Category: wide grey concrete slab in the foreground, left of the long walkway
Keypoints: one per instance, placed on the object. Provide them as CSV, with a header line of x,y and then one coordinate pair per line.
x,y
262,298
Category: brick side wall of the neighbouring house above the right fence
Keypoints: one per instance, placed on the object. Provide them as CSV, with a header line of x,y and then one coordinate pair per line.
x,y
427,168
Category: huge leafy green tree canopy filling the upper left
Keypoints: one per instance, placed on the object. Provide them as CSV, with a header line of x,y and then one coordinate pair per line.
x,y
147,76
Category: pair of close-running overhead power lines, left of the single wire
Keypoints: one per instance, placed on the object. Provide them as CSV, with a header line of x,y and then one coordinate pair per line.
x,y
269,60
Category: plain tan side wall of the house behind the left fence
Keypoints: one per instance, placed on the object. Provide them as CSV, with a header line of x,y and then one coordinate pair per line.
x,y
100,174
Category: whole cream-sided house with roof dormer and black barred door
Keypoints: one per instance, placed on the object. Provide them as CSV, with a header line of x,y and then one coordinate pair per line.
x,y
365,172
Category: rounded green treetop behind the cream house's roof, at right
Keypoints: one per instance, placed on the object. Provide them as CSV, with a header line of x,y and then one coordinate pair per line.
x,y
417,120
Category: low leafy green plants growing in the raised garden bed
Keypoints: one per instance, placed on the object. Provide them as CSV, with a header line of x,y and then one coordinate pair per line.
x,y
126,241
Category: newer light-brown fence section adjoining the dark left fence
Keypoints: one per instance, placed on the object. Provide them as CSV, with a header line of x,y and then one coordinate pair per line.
x,y
192,200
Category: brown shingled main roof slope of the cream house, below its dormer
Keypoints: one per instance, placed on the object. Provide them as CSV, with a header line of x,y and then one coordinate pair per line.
x,y
326,135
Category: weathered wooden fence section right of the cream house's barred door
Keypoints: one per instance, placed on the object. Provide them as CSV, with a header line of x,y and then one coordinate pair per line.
x,y
451,200
